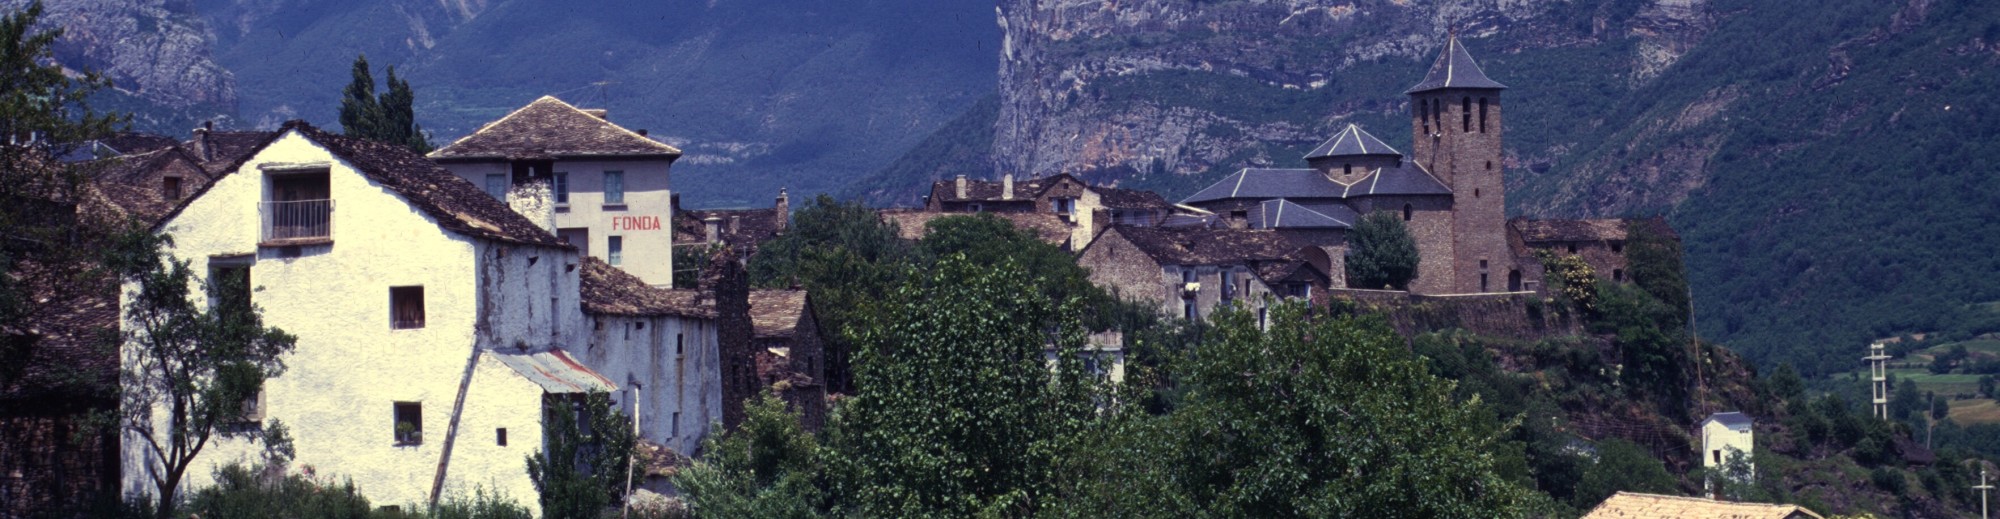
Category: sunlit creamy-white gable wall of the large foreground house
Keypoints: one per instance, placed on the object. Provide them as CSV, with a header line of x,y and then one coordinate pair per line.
x,y
351,368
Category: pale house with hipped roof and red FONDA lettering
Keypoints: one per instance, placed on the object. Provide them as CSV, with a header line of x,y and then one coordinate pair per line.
x,y
611,185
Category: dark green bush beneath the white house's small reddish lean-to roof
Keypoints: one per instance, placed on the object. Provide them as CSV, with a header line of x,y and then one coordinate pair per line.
x,y
585,460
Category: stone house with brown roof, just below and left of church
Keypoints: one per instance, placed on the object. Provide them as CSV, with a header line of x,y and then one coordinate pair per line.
x,y
1191,272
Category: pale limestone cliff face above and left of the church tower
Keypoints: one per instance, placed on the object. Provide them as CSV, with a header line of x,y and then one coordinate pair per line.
x,y
1157,87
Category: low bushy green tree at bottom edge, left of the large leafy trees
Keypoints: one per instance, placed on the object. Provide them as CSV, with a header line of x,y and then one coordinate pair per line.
x,y
767,468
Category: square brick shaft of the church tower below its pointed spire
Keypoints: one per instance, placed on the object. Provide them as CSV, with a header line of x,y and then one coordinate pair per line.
x,y
1463,149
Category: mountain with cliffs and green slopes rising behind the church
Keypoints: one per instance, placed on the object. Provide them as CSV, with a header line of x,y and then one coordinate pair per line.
x,y
1829,165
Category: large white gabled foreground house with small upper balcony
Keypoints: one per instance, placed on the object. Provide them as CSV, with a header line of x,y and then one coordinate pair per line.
x,y
433,322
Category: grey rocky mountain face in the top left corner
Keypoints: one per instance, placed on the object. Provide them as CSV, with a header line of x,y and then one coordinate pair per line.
x,y
153,49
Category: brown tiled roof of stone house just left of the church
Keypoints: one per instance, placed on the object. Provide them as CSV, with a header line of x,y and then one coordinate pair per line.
x,y
1201,247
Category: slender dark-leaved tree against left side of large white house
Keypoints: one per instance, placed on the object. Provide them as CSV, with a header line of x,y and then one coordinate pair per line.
x,y
189,370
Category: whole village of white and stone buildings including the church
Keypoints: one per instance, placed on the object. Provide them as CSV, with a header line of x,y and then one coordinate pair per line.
x,y
443,302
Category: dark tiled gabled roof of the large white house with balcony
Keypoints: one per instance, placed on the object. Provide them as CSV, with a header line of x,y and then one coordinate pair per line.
x,y
447,199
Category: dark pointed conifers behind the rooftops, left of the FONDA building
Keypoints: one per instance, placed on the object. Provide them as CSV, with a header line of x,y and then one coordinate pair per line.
x,y
383,119
